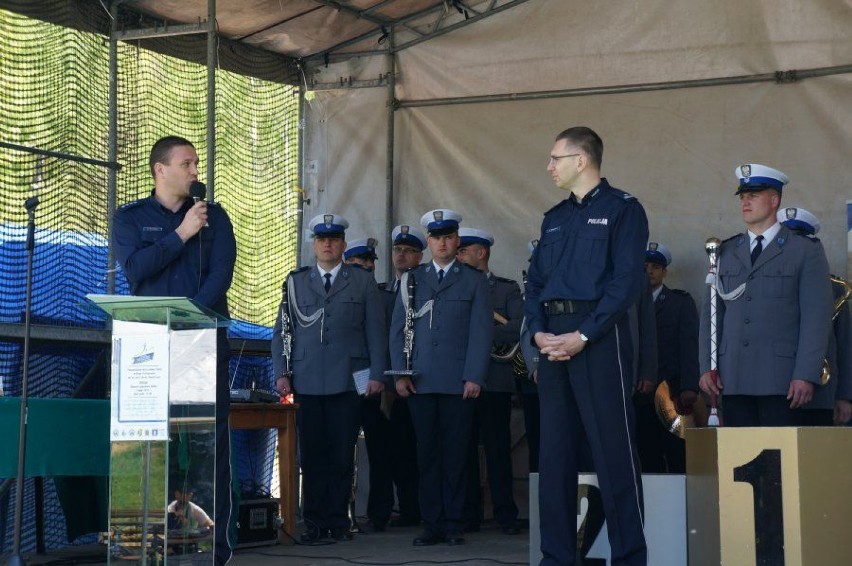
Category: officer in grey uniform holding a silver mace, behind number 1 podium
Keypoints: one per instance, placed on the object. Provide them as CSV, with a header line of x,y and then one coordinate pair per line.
x,y
774,311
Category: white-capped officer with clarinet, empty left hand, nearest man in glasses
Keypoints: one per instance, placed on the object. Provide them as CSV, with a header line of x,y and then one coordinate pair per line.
x,y
453,332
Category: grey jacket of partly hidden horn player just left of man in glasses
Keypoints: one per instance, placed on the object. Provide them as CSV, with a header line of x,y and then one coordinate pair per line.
x,y
505,299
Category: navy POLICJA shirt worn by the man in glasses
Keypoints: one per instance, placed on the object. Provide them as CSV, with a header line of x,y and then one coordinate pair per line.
x,y
589,250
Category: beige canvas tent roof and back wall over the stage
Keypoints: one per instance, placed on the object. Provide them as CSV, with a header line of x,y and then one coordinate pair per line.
x,y
681,93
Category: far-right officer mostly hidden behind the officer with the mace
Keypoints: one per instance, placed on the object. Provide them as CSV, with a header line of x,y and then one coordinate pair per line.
x,y
832,401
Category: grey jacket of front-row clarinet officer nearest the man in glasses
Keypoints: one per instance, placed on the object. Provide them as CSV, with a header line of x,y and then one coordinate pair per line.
x,y
452,343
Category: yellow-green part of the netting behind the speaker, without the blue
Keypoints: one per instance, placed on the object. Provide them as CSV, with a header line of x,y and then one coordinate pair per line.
x,y
54,95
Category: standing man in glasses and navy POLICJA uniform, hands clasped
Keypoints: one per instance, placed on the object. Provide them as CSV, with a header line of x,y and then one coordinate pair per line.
x,y
584,276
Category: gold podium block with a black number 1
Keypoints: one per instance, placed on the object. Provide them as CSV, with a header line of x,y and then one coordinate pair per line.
x,y
769,496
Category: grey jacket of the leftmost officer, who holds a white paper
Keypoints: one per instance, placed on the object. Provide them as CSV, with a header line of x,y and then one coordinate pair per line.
x,y
350,336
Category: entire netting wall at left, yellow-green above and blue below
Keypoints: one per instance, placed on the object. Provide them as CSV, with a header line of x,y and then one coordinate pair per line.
x,y
54,85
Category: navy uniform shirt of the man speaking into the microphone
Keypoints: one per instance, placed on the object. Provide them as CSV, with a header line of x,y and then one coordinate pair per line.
x,y
158,264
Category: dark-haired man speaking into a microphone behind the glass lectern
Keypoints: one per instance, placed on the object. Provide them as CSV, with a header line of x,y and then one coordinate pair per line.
x,y
173,244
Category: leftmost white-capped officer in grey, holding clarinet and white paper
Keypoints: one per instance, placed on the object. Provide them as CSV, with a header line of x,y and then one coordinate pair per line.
x,y
338,330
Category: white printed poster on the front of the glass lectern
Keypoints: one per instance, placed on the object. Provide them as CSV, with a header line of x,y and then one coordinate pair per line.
x,y
140,385
